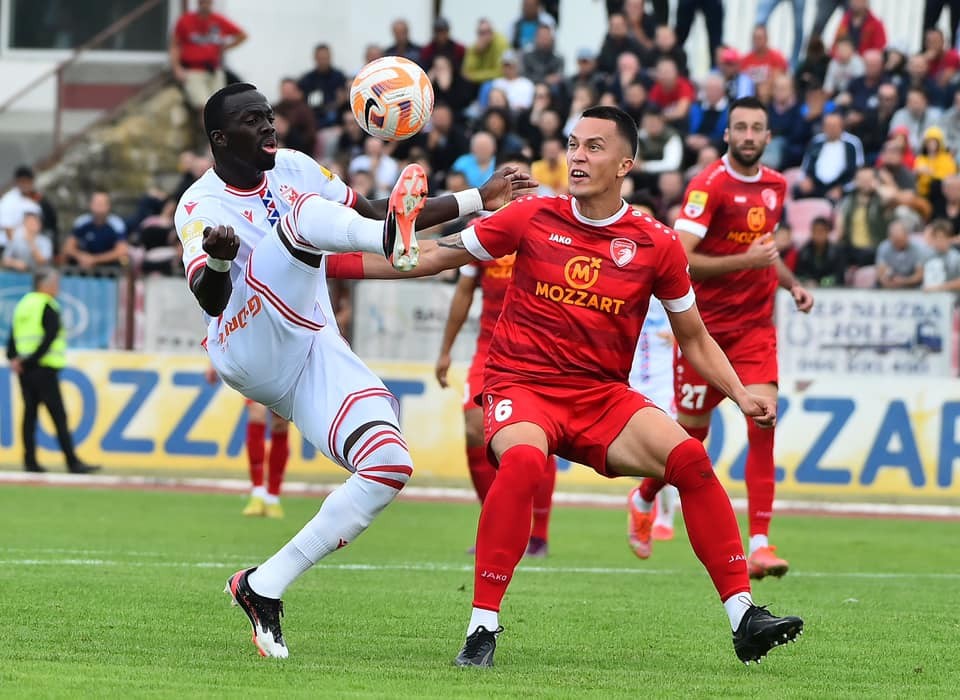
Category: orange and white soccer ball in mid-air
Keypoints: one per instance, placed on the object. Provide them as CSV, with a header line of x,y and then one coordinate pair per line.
x,y
391,98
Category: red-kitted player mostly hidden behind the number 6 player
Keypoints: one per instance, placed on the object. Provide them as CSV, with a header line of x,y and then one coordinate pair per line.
x,y
492,278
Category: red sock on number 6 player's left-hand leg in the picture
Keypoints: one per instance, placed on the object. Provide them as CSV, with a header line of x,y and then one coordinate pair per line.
x,y
502,533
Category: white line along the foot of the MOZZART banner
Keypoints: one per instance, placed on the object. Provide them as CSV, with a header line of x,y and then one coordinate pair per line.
x,y
427,493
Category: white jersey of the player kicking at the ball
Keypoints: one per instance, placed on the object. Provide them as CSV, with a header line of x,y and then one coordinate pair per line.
x,y
252,213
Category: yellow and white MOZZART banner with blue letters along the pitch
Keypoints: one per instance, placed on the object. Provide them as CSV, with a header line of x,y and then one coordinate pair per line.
x,y
896,437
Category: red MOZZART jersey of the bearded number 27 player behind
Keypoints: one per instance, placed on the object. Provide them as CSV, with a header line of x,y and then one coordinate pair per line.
x,y
728,212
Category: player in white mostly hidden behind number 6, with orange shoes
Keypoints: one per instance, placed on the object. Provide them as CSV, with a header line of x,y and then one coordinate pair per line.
x,y
652,375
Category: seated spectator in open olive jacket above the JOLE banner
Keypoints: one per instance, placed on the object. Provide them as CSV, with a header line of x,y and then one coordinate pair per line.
x,y
862,220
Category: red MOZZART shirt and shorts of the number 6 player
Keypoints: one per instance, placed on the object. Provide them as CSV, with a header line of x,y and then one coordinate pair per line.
x,y
561,351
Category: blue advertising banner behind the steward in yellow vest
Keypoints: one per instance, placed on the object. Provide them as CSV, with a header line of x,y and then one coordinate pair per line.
x,y
88,305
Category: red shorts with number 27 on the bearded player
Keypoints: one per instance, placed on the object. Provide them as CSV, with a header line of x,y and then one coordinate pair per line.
x,y
753,354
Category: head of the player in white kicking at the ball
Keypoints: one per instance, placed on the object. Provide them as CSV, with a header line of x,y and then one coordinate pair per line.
x,y
248,133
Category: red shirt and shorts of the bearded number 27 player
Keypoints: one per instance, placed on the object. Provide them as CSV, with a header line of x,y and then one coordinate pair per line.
x,y
728,211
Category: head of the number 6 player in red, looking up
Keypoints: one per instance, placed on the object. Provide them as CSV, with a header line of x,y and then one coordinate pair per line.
x,y
596,157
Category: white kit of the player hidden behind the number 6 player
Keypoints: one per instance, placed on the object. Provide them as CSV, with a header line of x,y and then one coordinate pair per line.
x,y
652,370
